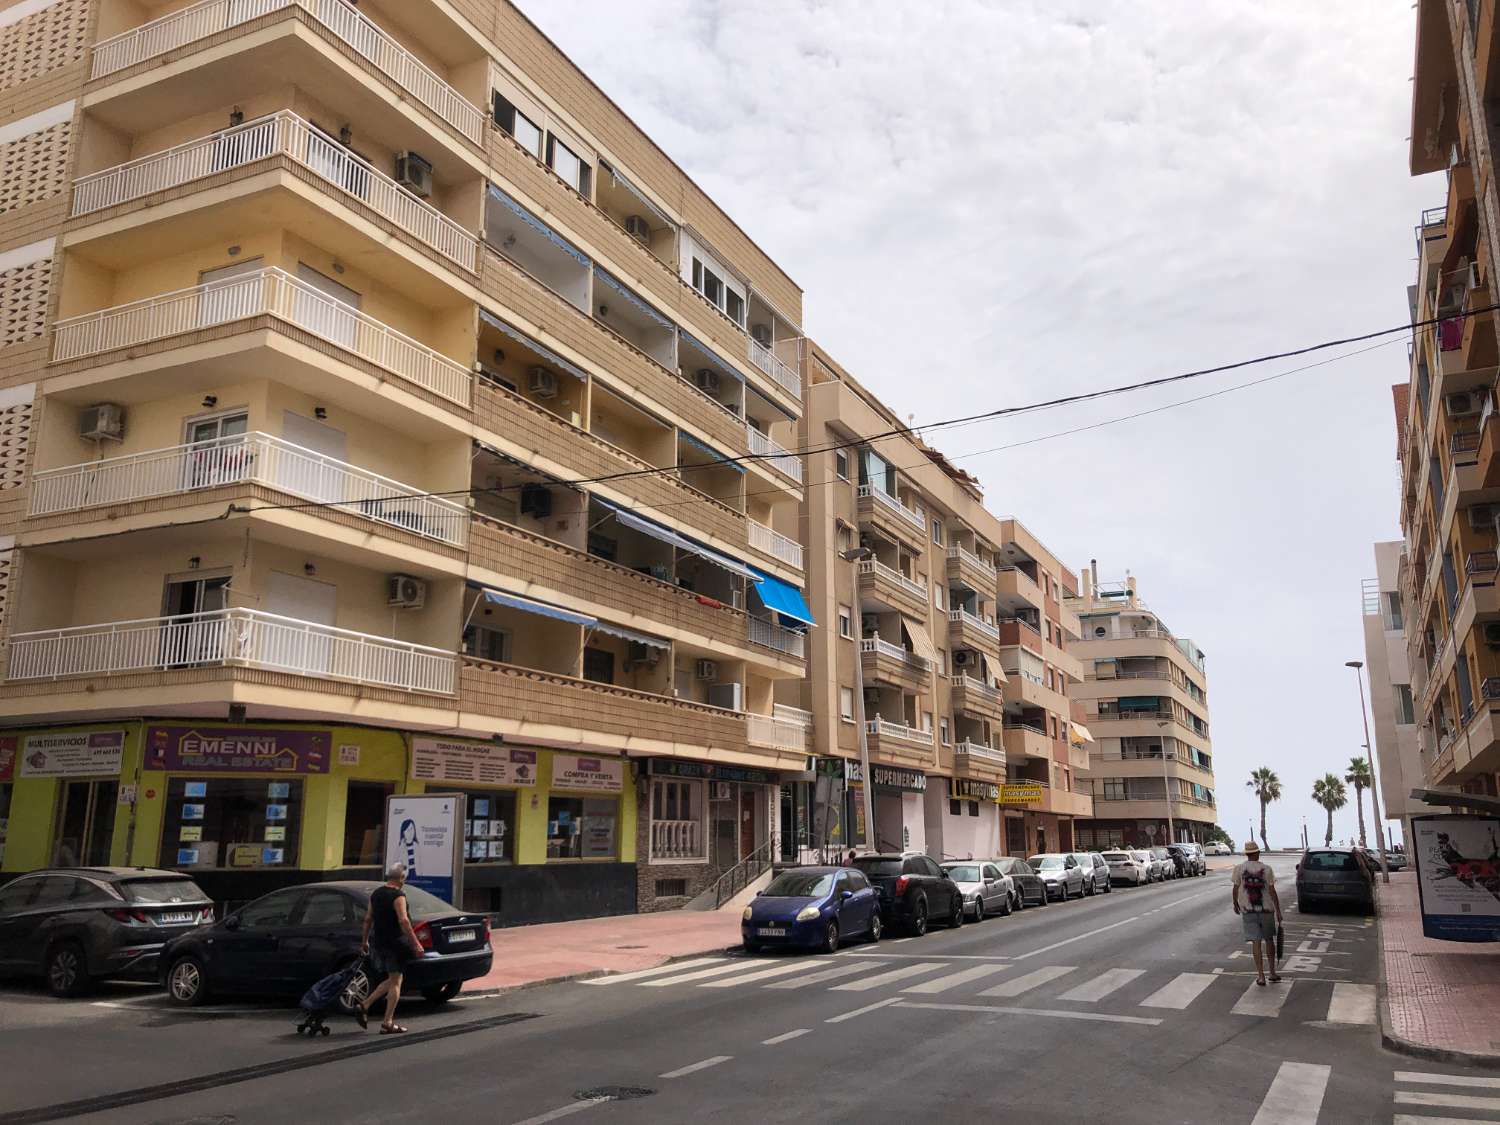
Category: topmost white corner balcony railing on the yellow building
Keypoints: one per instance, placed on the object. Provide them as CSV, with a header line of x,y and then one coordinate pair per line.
x,y
200,22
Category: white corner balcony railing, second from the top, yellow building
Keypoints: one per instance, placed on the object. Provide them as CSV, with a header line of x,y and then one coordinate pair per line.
x,y
281,134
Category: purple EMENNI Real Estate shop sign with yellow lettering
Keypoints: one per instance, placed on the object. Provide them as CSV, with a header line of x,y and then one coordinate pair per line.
x,y
236,751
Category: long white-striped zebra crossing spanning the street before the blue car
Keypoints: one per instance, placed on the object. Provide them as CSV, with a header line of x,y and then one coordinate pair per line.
x,y
1334,1003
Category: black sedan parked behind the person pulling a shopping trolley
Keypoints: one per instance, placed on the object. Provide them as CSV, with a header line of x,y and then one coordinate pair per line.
x,y
289,940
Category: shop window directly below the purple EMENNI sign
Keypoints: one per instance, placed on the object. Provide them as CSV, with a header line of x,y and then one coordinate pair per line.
x,y
232,823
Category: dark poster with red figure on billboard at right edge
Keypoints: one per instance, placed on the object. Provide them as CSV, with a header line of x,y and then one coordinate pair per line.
x,y
1459,877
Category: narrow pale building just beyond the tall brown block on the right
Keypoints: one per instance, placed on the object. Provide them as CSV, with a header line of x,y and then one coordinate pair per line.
x,y
1391,704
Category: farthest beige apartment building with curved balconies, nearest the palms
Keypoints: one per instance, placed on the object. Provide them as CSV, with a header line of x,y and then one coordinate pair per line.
x,y
1145,697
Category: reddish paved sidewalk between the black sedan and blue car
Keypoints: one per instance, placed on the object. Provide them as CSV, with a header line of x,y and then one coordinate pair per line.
x,y
556,952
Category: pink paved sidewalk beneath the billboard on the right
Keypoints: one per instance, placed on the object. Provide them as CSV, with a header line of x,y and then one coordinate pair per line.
x,y
1439,1000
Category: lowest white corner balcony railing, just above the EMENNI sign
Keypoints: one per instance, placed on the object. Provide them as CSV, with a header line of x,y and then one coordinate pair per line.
x,y
232,638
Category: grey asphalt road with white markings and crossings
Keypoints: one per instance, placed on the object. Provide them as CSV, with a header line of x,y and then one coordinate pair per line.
x,y
1133,1007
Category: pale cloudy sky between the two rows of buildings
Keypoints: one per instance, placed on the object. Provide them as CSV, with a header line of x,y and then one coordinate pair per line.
x,y
994,203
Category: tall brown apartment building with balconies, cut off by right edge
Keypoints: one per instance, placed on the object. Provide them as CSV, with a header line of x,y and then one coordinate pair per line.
x,y
1450,433
